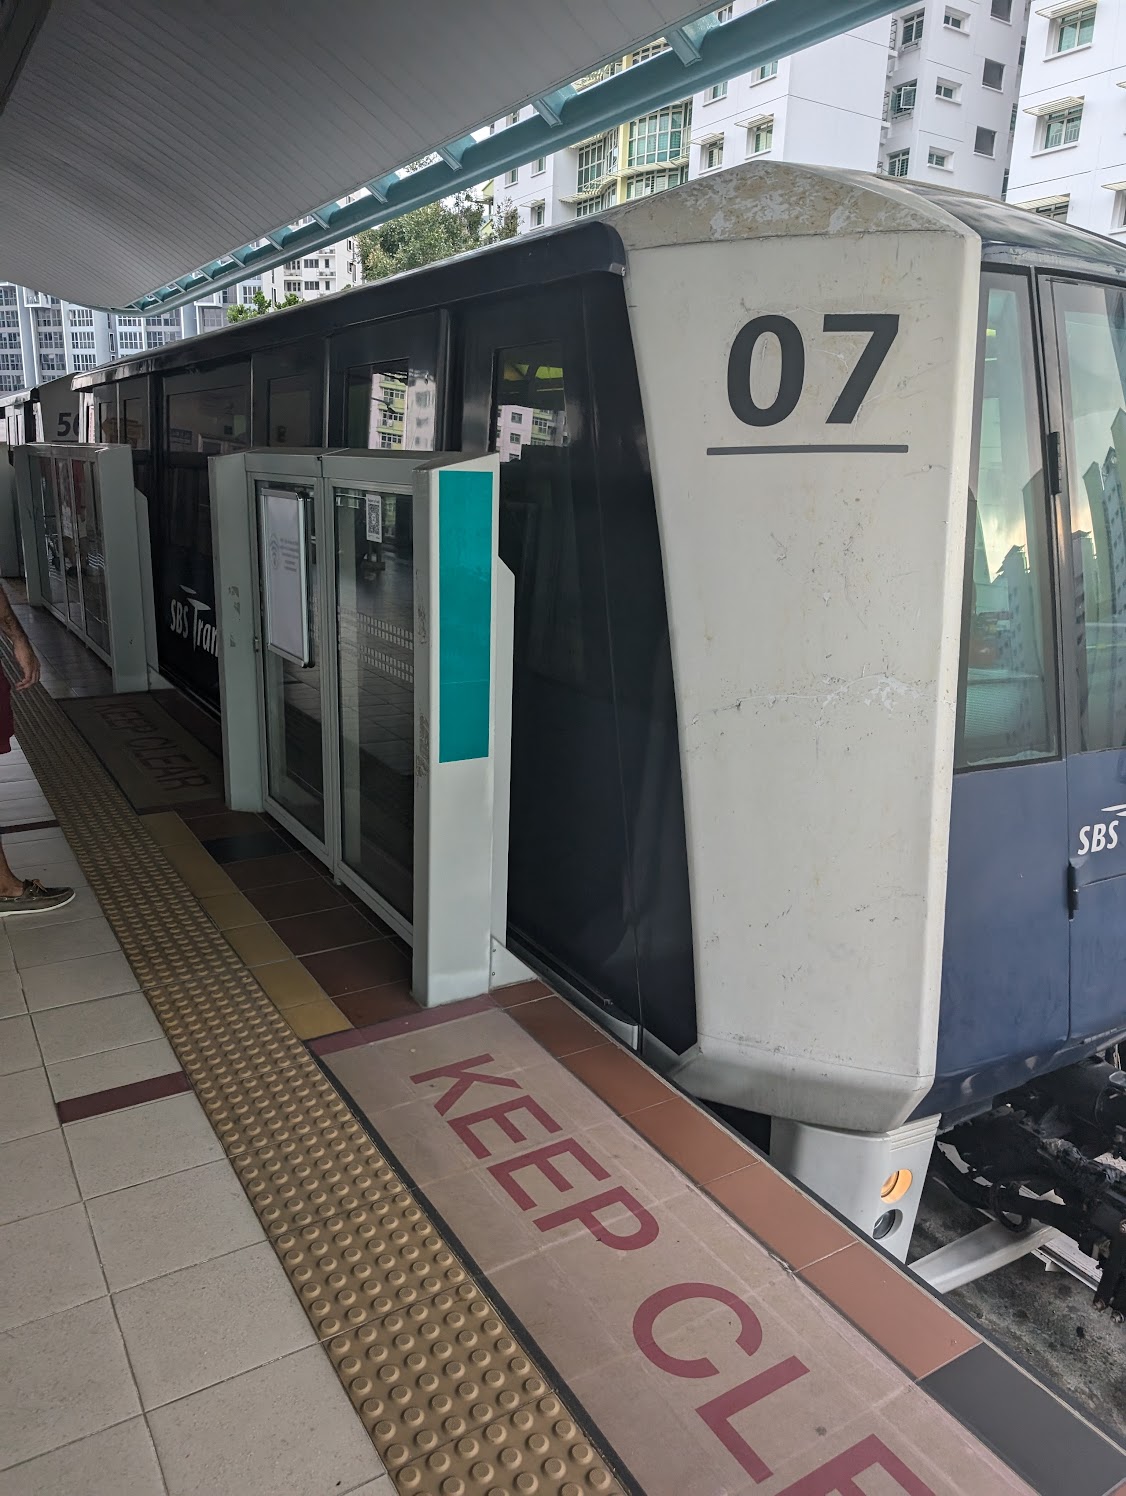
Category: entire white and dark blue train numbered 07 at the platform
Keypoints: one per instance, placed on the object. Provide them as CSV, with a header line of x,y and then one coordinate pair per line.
x,y
814,490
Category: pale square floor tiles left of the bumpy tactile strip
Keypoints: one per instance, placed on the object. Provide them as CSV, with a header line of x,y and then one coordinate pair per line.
x,y
150,1343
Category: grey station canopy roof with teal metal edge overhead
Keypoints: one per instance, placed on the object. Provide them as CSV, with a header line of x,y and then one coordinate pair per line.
x,y
155,150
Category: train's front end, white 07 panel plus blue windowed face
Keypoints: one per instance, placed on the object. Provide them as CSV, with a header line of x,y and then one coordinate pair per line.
x,y
874,684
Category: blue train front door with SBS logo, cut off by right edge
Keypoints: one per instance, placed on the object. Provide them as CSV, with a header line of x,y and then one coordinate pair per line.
x,y
1089,412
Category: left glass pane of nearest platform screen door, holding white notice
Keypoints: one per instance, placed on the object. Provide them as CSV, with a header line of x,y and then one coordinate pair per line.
x,y
295,764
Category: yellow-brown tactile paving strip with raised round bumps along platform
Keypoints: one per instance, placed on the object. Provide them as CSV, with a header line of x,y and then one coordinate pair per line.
x,y
452,1401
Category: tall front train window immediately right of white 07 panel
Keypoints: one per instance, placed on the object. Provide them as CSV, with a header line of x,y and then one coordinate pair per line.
x,y
1009,696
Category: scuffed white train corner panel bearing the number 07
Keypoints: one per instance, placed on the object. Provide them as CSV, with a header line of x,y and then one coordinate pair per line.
x,y
814,569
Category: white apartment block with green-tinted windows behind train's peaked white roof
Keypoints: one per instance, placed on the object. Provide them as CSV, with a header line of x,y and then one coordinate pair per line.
x,y
929,93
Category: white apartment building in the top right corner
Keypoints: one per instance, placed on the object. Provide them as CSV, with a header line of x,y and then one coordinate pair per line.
x,y
1070,150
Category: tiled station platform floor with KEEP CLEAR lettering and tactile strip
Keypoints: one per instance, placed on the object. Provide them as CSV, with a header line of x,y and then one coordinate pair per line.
x,y
270,1229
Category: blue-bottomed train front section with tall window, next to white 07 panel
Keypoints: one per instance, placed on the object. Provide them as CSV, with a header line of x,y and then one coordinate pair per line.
x,y
1006,955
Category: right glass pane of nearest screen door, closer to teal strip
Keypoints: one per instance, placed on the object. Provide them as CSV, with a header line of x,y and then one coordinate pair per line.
x,y
376,628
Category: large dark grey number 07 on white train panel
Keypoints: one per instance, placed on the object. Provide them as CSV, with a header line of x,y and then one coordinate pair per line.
x,y
883,328
